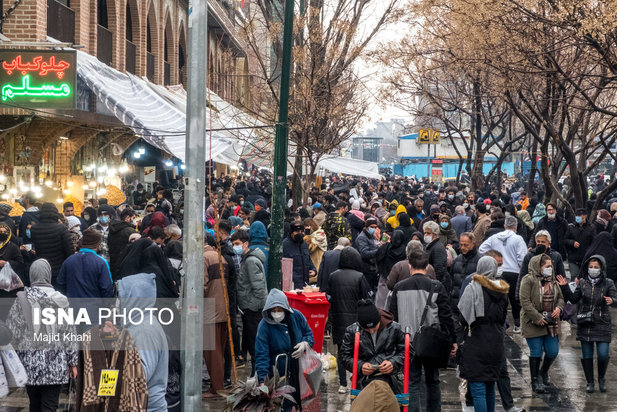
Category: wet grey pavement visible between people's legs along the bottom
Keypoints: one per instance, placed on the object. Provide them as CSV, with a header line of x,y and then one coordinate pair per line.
x,y
566,373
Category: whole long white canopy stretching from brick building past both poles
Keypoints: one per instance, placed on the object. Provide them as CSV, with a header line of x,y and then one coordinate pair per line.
x,y
158,115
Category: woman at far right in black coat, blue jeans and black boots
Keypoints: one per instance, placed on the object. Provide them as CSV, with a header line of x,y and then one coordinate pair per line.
x,y
594,293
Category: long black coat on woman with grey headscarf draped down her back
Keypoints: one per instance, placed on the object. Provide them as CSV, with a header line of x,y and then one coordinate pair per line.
x,y
481,352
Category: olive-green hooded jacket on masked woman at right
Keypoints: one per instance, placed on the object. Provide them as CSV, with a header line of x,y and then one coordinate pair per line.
x,y
531,300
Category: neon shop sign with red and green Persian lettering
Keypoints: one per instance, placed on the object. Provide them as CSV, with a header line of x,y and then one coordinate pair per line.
x,y
38,78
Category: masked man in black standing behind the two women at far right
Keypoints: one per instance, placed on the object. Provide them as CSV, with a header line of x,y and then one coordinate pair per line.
x,y
579,237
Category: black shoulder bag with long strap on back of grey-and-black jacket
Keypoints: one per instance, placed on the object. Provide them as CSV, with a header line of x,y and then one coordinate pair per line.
x,y
431,345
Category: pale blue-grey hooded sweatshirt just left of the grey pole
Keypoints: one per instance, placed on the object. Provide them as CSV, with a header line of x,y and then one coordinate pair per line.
x,y
139,291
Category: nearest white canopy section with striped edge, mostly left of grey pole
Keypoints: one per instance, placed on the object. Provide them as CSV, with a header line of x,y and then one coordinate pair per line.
x,y
136,105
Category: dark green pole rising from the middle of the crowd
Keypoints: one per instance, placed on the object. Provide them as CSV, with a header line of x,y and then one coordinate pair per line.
x,y
275,276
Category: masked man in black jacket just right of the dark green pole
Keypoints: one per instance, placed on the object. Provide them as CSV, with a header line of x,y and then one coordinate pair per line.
x,y
294,247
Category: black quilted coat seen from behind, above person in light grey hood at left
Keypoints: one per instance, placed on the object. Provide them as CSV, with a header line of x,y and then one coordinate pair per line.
x,y
52,241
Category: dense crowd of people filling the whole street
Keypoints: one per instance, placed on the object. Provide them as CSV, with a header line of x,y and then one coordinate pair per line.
x,y
391,256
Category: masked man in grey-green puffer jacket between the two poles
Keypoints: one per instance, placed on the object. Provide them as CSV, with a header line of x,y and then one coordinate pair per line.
x,y
251,289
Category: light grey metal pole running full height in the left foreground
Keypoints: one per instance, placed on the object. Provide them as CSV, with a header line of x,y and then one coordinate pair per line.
x,y
194,193
